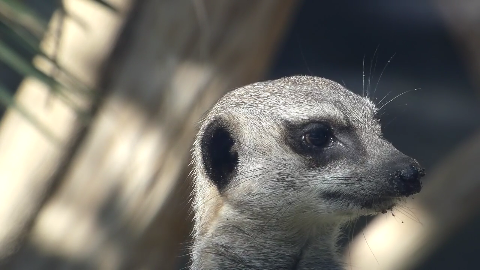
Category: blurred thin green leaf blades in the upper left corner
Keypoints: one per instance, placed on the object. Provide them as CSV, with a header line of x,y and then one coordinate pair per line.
x,y
22,28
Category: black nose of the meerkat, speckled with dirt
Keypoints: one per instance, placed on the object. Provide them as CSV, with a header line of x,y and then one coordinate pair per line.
x,y
409,179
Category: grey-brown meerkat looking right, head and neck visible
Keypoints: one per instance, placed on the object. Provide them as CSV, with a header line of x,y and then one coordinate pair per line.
x,y
280,165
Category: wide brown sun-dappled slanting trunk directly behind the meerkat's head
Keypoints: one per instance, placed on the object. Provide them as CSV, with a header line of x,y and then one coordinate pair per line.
x,y
126,185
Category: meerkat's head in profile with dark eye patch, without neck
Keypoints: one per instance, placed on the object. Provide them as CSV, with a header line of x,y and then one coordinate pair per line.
x,y
301,147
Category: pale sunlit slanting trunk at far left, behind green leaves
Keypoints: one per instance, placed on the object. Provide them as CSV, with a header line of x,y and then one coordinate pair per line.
x,y
31,167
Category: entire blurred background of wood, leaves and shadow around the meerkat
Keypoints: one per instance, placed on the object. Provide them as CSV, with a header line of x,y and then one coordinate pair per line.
x,y
101,102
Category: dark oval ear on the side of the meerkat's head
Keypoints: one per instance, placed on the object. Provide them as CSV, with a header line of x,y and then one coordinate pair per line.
x,y
219,154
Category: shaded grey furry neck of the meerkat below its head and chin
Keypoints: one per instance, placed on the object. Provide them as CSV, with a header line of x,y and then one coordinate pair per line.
x,y
258,243
